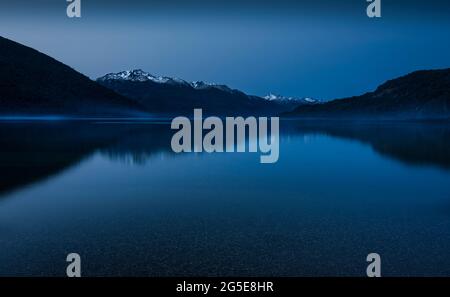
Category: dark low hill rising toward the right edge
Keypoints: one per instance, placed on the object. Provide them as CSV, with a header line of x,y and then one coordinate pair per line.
x,y
419,95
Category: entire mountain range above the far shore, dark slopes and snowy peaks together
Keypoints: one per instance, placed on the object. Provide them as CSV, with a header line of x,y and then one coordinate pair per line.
x,y
32,83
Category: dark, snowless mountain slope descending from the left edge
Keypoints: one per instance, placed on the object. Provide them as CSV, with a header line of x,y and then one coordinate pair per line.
x,y
32,83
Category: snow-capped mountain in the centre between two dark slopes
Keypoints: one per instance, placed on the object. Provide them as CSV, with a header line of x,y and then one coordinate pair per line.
x,y
174,96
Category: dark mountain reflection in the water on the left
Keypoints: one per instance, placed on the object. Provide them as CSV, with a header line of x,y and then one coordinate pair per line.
x,y
32,152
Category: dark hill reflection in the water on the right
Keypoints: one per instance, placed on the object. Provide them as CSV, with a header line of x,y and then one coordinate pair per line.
x,y
411,143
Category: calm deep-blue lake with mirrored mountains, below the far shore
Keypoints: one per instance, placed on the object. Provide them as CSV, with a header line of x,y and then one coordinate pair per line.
x,y
115,193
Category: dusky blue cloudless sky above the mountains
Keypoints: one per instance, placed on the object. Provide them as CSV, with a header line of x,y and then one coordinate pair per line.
x,y
325,49
